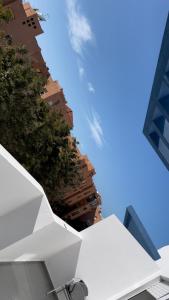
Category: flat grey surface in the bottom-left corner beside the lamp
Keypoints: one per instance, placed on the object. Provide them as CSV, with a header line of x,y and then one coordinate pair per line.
x,y
24,281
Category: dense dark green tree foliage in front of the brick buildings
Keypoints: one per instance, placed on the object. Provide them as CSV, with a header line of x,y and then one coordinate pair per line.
x,y
34,134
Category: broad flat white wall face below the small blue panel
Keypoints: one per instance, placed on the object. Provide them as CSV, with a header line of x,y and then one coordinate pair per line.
x,y
111,261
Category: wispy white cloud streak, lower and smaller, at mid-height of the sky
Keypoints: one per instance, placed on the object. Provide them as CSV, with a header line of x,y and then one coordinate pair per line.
x,y
96,129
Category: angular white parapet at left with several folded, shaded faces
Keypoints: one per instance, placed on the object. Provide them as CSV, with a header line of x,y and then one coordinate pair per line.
x,y
28,228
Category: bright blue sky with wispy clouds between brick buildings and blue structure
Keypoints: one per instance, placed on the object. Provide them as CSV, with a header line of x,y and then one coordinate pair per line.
x,y
104,54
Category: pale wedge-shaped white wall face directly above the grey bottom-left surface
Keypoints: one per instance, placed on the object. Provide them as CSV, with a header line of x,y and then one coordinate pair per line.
x,y
41,244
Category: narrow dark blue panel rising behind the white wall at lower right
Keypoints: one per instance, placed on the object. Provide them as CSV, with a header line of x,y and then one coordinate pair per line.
x,y
137,229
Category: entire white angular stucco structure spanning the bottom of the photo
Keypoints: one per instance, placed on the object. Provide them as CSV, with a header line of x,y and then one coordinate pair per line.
x,y
105,255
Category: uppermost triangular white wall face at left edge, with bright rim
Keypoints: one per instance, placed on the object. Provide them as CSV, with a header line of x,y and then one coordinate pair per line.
x,y
17,186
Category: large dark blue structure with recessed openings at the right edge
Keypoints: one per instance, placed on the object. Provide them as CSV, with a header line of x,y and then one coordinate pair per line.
x,y
156,127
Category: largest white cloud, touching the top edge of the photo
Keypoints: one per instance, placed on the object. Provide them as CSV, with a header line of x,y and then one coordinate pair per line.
x,y
79,28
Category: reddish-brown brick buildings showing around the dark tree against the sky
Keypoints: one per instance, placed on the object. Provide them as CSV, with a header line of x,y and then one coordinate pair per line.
x,y
83,201
